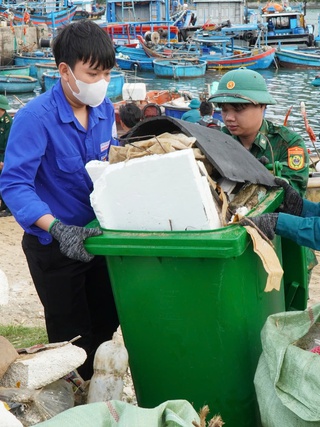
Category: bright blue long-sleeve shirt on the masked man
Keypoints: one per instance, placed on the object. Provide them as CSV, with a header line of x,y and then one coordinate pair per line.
x,y
45,159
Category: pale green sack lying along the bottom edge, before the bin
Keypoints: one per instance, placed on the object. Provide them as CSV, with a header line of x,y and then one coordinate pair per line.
x,y
115,413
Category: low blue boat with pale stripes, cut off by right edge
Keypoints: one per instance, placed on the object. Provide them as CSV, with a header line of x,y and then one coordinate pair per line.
x,y
290,57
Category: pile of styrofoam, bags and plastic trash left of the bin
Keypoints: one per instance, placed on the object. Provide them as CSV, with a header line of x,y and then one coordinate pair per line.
x,y
41,381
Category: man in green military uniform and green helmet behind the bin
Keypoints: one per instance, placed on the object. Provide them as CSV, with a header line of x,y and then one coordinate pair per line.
x,y
243,96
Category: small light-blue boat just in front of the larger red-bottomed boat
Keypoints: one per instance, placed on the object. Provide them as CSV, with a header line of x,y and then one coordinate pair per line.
x,y
181,68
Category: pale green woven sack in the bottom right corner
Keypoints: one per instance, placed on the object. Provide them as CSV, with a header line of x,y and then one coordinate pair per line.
x,y
287,379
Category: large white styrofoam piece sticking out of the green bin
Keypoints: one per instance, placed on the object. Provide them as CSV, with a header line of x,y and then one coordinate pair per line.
x,y
155,193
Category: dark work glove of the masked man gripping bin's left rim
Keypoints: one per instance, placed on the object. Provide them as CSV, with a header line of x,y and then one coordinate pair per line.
x,y
71,238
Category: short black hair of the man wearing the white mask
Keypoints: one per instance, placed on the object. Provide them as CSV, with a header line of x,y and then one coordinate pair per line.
x,y
84,41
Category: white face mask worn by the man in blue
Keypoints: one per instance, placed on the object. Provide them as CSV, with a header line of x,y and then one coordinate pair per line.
x,y
91,94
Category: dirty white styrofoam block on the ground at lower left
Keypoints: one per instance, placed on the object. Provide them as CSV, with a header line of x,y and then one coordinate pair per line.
x,y
39,369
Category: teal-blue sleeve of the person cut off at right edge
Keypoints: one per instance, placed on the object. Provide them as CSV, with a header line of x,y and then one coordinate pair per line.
x,y
305,229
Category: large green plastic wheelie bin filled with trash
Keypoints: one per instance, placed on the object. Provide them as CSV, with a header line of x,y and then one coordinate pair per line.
x,y
191,307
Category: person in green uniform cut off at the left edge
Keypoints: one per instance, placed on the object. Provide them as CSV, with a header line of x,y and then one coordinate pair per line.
x,y
5,126
